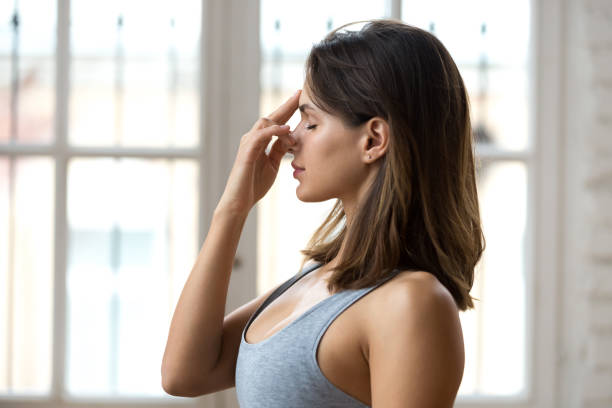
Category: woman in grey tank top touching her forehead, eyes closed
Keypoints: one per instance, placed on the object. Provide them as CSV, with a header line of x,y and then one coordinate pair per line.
x,y
385,130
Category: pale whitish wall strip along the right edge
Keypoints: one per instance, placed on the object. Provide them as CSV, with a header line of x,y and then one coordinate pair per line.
x,y
585,360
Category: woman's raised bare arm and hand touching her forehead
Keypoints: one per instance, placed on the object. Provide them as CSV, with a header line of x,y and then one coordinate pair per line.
x,y
202,345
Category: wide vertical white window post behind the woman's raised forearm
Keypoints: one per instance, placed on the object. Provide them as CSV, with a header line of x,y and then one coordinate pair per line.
x,y
230,89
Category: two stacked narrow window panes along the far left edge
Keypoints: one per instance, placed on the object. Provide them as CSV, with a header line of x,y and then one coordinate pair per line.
x,y
27,194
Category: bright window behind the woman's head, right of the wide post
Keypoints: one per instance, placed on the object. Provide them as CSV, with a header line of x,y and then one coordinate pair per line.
x,y
492,44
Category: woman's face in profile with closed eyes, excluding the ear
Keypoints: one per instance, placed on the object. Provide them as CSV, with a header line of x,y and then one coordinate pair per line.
x,y
330,154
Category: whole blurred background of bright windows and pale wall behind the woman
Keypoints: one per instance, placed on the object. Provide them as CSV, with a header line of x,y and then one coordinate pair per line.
x,y
119,122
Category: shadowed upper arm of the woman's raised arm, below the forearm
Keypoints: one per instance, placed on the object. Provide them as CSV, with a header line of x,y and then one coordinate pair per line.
x,y
223,374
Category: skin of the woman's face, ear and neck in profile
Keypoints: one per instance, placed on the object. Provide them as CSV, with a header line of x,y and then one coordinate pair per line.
x,y
325,146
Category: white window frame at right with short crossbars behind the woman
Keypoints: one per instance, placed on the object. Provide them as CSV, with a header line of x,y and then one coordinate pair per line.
x,y
545,197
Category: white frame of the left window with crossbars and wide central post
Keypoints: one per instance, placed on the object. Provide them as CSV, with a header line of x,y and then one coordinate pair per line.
x,y
229,104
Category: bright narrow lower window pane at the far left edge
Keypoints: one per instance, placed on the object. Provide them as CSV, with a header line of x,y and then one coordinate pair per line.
x,y
26,274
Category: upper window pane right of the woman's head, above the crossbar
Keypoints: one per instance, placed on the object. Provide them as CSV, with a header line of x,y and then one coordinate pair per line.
x,y
489,41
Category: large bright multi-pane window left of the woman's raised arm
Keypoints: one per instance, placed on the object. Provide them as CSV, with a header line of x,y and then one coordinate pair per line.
x,y
99,192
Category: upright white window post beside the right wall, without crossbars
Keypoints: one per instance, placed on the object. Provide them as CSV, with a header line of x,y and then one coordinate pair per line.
x,y
547,190
